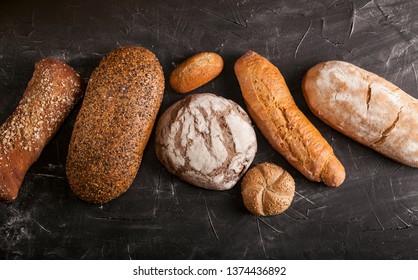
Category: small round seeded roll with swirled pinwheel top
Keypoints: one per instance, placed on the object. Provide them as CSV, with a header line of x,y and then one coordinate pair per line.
x,y
267,189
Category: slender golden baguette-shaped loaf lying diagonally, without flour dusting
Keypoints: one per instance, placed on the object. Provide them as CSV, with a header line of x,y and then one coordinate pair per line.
x,y
275,113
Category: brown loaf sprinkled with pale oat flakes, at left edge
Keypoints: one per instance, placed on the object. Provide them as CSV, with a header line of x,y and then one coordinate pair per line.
x,y
49,97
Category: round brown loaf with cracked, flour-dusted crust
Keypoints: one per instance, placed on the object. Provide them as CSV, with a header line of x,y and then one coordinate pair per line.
x,y
206,140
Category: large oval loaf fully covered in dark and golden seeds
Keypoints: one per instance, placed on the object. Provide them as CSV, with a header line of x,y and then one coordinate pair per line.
x,y
114,124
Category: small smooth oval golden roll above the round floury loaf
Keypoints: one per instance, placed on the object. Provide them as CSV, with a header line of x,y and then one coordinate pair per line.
x,y
196,71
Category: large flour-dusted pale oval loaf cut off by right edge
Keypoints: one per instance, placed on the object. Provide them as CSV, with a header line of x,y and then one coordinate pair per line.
x,y
365,107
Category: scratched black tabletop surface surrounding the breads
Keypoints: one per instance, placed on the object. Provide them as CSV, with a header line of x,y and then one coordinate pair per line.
x,y
373,215
